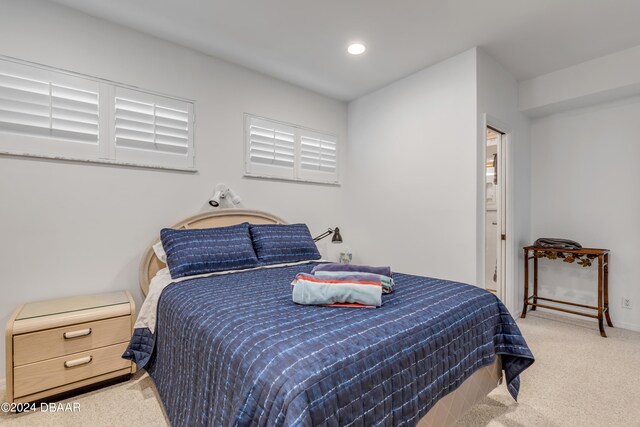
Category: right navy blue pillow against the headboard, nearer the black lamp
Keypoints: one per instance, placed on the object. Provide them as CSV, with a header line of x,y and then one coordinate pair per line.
x,y
280,243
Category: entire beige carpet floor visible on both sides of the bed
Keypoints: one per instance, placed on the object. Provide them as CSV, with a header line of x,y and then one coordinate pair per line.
x,y
579,379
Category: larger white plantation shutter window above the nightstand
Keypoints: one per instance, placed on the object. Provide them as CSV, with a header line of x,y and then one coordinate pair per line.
x,y
45,112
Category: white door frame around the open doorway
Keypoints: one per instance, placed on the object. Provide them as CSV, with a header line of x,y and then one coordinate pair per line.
x,y
507,290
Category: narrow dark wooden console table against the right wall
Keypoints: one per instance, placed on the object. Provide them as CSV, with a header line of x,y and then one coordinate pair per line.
x,y
583,257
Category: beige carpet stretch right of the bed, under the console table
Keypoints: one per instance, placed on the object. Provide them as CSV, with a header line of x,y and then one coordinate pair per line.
x,y
578,379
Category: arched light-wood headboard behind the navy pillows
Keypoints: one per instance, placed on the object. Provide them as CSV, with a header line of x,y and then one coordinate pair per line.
x,y
222,218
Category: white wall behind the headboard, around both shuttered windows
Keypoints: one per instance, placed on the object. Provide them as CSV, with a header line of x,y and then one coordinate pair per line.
x,y
71,228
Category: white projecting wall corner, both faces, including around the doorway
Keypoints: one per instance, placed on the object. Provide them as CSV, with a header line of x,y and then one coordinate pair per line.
x,y
416,170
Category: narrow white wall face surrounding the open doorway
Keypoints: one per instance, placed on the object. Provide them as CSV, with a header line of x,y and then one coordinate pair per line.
x,y
498,98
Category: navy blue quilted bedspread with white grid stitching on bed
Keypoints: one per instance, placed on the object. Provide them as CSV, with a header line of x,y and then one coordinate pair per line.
x,y
235,350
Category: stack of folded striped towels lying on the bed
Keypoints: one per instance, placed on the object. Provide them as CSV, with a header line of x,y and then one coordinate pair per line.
x,y
343,285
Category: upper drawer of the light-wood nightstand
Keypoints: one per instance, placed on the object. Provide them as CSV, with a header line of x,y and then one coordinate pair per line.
x,y
50,343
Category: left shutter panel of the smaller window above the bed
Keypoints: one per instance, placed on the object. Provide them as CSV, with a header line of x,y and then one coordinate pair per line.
x,y
270,148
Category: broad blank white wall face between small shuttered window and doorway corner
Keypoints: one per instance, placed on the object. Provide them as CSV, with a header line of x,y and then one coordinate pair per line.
x,y
411,176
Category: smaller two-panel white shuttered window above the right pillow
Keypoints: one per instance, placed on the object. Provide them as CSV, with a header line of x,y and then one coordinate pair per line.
x,y
282,150
